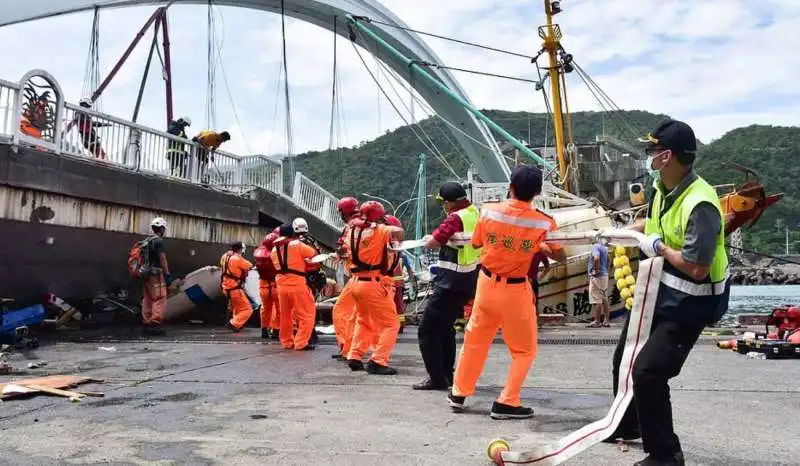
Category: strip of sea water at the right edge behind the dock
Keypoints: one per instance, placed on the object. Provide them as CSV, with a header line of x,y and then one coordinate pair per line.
x,y
759,299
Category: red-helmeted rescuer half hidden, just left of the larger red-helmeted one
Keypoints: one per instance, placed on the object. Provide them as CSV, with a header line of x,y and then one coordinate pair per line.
x,y
344,311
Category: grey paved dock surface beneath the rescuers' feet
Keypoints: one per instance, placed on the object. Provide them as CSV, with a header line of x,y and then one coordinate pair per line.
x,y
199,397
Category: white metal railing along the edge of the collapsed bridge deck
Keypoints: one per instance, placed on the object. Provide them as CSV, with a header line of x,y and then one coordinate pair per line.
x,y
82,132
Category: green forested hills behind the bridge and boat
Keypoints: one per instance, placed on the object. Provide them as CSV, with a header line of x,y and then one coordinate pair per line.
x,y
387,166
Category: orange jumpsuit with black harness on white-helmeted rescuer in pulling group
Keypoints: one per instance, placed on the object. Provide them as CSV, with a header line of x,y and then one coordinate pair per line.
x,y
294,295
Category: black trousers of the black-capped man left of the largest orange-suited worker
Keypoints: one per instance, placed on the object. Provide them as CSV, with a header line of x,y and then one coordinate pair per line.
x,y
437,337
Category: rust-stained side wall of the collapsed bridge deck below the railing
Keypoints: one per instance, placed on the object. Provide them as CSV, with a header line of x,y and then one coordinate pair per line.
x,y
39,207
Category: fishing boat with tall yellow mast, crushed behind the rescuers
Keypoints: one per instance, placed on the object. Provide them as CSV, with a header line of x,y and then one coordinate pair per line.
x,y
564,290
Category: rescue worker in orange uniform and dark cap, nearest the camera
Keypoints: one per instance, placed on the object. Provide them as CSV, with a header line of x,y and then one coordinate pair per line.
x,y
510,233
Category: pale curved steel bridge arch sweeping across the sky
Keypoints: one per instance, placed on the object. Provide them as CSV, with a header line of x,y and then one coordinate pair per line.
x,y
488,163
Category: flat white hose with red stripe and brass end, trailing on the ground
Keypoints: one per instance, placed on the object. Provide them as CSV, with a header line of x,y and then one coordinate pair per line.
x,y
647,284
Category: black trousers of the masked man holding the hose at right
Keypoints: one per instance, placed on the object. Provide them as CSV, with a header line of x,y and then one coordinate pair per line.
x,y
660,359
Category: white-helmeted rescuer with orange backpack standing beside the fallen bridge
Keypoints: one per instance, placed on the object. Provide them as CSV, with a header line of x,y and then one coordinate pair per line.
x,y
154,293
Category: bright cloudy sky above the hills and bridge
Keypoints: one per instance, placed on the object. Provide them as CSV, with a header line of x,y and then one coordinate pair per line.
x,y
717,64
